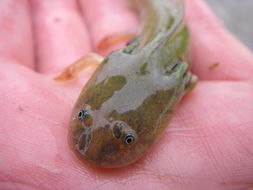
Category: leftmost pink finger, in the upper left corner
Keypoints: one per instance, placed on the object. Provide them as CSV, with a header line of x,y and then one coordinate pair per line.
x,y
16,33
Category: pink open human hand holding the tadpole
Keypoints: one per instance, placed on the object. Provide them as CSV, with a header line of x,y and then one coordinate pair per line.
x,y
207,145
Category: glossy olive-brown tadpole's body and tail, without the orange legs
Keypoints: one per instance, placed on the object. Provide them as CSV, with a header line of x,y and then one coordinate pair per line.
x,y
129,100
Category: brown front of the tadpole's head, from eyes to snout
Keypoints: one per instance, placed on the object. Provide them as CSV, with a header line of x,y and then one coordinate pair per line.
x,y
103,142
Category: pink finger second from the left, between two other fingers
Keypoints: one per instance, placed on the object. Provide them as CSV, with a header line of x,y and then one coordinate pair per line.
x,y
61,37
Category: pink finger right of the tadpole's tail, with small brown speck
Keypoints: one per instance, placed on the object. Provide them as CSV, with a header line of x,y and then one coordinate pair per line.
x,y
217,55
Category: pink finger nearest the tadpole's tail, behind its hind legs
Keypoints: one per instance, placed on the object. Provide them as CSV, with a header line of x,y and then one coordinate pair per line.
x,y
108,17
